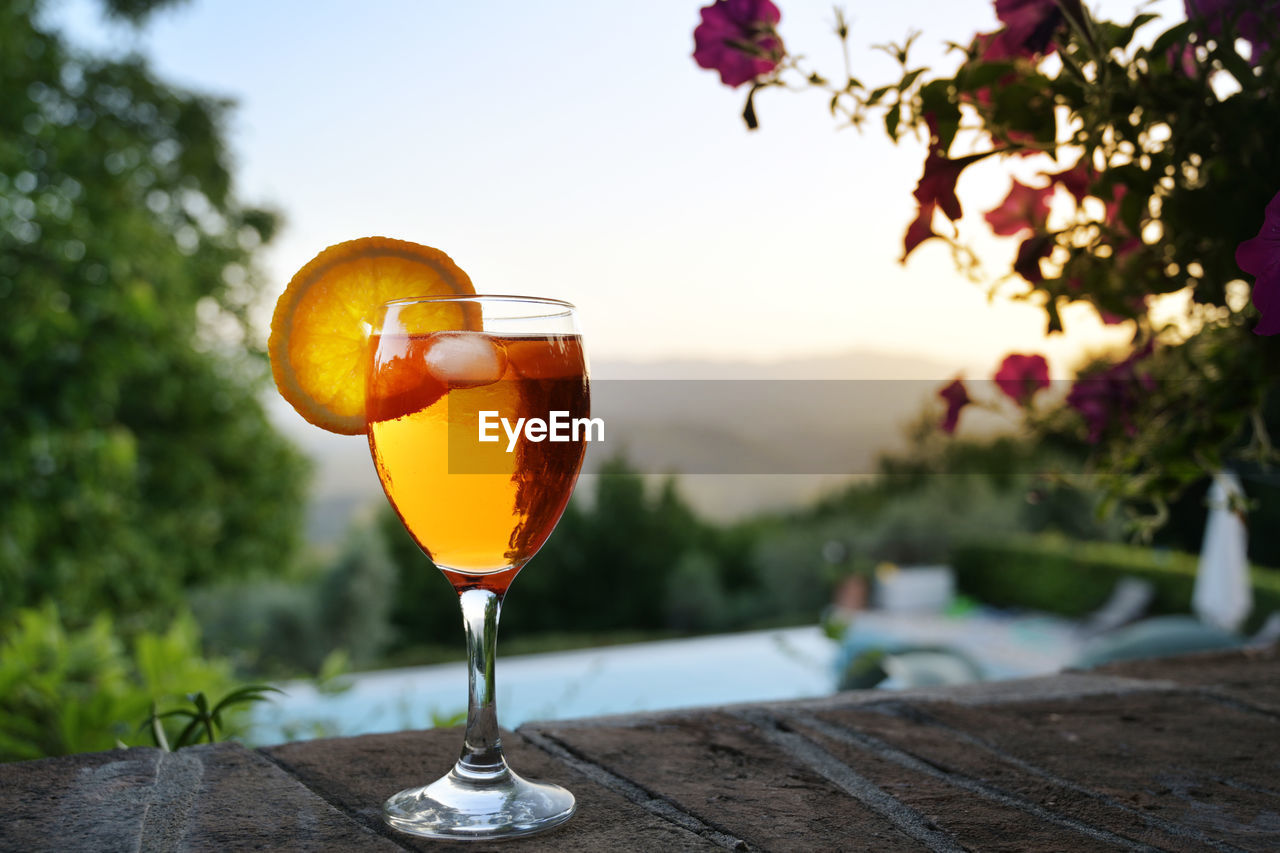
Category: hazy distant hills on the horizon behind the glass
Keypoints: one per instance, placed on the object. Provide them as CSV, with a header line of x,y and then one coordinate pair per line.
x,y
743,436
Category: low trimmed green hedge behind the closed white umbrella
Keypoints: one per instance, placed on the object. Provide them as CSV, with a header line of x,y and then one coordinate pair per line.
x,y
1073,578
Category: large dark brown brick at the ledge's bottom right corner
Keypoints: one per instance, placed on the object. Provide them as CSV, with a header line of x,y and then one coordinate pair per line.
x,y
1176,772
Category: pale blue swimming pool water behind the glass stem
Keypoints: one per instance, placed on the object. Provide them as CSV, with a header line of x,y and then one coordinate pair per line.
x,y
755,667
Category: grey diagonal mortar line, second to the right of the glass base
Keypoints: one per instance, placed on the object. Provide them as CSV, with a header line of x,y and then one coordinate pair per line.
x,y
906,819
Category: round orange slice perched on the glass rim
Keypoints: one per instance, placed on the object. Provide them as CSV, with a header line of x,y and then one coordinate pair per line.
x,y
321,331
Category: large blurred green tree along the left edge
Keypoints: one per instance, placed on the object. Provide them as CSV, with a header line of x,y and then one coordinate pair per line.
x,y
135,455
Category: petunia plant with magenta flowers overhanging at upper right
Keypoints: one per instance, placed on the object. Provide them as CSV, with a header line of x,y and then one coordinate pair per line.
x,y
1140,161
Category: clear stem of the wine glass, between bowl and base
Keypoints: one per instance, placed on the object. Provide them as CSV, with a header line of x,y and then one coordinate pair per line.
x,y
482,749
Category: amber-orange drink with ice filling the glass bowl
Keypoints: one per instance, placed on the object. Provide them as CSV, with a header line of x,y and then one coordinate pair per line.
x,y
478,512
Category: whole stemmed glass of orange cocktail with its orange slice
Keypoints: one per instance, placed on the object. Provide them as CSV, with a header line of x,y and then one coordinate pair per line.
x,y
388,339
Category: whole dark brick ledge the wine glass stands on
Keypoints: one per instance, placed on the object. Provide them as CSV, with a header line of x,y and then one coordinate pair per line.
x,y
1177,755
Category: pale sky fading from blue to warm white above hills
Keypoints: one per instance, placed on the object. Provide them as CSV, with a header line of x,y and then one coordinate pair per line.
x,y
574,149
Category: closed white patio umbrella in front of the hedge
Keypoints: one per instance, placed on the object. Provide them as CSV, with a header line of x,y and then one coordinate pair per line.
x,y
1223,595
